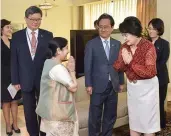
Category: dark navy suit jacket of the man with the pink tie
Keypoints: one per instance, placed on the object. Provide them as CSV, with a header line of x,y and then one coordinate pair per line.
x,y
24,70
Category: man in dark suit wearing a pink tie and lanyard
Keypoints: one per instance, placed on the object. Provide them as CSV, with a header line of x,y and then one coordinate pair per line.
x,y
28,52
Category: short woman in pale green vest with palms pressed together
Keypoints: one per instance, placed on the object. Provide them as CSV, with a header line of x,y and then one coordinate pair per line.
x,y
56,105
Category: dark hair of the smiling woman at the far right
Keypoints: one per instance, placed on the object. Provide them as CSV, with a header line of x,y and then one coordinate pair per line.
x,y
157,24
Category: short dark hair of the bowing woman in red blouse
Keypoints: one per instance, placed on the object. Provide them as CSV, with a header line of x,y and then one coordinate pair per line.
x,y
131,25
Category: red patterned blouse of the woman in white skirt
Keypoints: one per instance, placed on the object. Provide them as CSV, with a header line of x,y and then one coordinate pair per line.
x,y
143,64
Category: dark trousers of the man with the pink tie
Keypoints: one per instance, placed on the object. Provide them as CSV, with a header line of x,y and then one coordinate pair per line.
x,y
30,100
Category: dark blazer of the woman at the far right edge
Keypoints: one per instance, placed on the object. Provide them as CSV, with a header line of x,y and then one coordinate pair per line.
x,y
163,52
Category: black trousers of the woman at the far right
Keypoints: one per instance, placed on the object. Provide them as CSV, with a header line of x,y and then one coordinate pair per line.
x,y
162,96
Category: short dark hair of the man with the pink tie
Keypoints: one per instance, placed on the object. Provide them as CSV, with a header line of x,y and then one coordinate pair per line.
x,y
32,10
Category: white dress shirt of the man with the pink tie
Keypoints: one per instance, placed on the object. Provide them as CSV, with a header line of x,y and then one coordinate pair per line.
x,y
29,37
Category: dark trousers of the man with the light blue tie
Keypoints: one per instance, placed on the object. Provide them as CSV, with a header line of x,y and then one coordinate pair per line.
x,y
103,104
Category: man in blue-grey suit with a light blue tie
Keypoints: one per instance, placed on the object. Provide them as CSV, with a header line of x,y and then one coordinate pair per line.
x,y
101,79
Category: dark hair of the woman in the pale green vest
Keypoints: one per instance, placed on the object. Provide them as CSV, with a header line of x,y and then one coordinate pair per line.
x,y
56,42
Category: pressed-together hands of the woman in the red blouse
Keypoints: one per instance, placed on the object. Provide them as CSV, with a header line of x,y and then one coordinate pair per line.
x,y
127,56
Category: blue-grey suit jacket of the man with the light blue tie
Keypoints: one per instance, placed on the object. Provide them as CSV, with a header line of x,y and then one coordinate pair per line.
x,y
97,67
